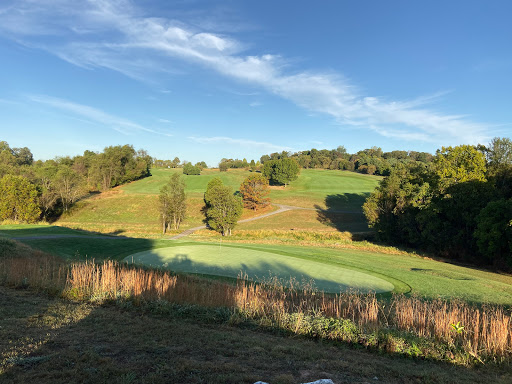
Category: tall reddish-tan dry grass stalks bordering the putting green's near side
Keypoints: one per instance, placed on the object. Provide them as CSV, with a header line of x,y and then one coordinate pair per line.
x,y
487,332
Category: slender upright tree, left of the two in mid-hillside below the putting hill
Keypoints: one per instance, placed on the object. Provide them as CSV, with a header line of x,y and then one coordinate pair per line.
x,y
173,203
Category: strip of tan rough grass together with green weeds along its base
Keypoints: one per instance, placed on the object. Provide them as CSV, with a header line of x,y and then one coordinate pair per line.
x,y
405,326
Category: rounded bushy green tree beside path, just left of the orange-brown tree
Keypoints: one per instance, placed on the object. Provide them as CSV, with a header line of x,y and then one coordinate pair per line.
x,y
224,208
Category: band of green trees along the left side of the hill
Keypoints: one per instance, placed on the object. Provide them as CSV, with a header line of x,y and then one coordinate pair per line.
x,y
33,190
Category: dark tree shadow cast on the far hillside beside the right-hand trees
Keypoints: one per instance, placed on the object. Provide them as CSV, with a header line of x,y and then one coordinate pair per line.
x,y
344,212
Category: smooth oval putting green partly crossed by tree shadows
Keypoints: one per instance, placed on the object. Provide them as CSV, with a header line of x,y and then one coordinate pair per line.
x,y
230,261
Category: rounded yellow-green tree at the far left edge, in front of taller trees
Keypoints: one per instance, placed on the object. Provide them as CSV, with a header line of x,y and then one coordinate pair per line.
x,y
19,199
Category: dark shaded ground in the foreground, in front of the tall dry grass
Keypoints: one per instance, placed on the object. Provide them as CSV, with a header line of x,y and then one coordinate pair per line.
x,y
48,340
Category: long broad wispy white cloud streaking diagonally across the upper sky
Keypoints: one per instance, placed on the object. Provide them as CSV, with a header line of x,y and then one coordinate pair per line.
x,y
119,36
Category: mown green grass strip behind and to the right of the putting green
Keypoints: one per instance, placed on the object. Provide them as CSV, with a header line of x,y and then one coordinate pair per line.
x,y
408,273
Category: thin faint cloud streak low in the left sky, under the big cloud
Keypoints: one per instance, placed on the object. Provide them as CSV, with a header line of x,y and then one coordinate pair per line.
x,y
93,115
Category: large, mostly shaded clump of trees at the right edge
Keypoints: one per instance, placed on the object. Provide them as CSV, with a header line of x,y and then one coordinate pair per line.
x,y
459,205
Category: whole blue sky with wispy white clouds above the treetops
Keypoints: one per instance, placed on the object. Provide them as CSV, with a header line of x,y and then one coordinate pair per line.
x,y
203,80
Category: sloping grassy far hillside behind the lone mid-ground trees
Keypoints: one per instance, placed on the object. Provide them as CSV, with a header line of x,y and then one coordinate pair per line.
x,y
133,209
